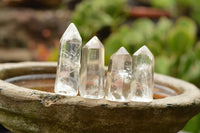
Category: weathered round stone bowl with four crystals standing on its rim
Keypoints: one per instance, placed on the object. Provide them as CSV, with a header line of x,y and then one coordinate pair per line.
x,y
24,110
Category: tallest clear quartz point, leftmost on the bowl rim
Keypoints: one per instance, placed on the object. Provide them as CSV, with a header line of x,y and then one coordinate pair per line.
x,y
67,77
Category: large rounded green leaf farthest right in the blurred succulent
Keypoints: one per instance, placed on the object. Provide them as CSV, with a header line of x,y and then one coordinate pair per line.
x,y
182,36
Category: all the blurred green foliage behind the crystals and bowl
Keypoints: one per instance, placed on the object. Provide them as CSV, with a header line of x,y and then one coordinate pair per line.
x,y
173,42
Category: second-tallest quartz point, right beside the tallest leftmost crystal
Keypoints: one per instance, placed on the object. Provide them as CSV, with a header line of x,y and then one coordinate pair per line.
x,y
92,70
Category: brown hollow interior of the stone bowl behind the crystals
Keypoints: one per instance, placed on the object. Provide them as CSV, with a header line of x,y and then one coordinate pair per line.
x,y
45,82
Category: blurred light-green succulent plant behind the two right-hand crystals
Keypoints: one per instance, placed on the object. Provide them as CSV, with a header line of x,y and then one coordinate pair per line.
x,y
173,45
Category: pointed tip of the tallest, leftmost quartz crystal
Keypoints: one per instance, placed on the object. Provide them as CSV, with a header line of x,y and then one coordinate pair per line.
x,y
71,33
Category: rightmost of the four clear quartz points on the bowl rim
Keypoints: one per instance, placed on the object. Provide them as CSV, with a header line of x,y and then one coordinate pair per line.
x,y
143,75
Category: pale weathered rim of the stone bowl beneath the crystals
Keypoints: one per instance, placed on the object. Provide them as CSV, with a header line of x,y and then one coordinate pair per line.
x,y
190,94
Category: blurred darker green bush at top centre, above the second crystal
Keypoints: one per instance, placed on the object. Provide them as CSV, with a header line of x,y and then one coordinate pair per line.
x,y
93,15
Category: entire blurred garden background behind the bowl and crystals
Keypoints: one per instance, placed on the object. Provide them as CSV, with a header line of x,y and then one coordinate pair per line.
x,y
30,30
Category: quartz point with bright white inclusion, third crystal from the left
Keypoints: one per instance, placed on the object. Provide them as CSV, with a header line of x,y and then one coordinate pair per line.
x,y
119,76
